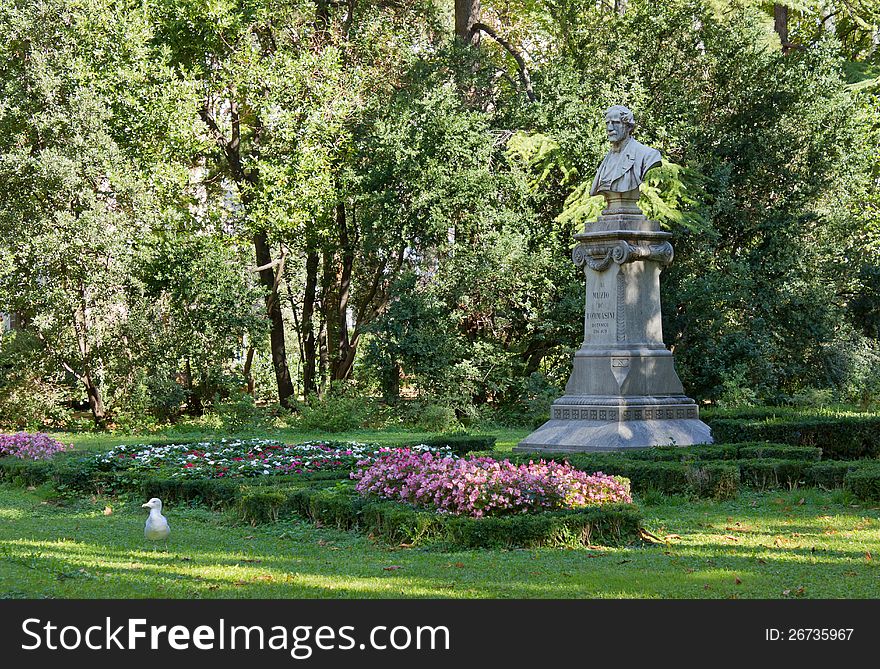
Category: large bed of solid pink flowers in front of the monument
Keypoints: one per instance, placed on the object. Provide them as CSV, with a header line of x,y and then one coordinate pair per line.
x,y
481,486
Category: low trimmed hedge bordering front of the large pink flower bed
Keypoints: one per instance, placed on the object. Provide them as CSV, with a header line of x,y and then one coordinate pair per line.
x,y
398,523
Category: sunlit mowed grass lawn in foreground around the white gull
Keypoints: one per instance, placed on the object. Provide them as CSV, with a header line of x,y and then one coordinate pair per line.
x,y
804,543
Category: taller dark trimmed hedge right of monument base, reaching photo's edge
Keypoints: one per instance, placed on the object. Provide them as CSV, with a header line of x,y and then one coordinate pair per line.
x,y
839,437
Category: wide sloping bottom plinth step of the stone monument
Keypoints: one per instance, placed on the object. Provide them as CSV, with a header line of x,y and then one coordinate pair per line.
x,y
592,436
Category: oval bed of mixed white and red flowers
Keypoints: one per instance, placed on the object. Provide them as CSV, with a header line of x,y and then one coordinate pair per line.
x,y
239,458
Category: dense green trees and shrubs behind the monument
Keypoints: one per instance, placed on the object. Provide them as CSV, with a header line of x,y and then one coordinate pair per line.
x,y
401,193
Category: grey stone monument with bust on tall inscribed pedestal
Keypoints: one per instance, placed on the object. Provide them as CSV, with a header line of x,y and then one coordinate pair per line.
x,y
623,391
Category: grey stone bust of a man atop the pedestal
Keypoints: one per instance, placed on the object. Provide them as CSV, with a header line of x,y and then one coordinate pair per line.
x,y
626,164
